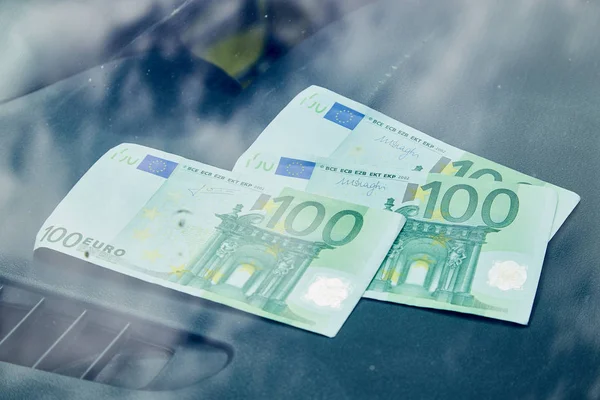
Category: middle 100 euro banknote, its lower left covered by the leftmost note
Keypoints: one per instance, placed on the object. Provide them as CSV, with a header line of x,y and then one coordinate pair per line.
x,y
469,245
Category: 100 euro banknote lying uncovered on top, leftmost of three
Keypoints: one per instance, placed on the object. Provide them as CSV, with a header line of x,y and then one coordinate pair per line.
x,y
291,256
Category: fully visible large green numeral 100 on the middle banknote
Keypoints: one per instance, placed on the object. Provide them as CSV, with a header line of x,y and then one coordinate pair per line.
x,y
486,208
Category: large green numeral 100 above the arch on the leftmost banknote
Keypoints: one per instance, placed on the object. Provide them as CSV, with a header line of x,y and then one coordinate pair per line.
x,y
318,219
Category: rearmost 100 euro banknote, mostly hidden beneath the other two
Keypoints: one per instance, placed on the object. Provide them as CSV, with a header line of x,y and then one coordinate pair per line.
x,y
326,124
